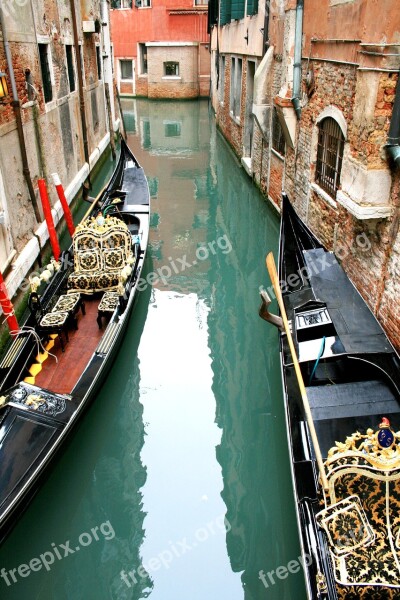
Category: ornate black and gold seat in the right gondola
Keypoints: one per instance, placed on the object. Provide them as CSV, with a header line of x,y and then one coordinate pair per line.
x,y
362,520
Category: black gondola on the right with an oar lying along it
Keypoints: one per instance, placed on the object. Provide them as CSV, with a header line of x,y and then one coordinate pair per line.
x,y
341,383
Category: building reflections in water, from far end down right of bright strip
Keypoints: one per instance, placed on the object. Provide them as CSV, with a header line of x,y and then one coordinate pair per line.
x,y
199,196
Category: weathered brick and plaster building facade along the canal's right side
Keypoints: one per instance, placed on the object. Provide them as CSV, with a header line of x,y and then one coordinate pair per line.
x,y
321,101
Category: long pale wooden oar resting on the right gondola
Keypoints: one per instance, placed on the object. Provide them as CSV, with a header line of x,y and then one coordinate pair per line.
x,y
275,282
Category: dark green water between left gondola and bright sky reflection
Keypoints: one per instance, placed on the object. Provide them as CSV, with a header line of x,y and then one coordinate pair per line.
x,y
97,480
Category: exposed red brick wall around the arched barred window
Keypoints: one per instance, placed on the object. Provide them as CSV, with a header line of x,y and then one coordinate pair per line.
x,y
368,250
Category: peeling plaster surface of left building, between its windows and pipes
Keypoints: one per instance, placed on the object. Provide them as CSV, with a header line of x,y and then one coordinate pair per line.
x,y
52,130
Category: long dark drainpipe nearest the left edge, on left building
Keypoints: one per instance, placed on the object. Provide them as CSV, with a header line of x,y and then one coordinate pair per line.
x,y
17,110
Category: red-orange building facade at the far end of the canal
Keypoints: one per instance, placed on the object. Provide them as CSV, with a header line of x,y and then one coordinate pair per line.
x,y
161,49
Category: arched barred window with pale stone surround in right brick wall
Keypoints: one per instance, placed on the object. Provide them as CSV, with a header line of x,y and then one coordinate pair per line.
x,y
329,155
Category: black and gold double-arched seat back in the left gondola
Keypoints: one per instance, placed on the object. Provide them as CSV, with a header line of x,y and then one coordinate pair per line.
x,y
102,254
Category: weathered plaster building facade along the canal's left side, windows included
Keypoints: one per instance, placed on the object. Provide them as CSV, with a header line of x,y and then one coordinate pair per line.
x,y
54,118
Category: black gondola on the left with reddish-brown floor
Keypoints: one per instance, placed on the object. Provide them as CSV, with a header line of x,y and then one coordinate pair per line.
x,y
78,312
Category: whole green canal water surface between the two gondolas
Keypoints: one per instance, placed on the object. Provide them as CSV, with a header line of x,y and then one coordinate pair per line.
x,y
176,484
